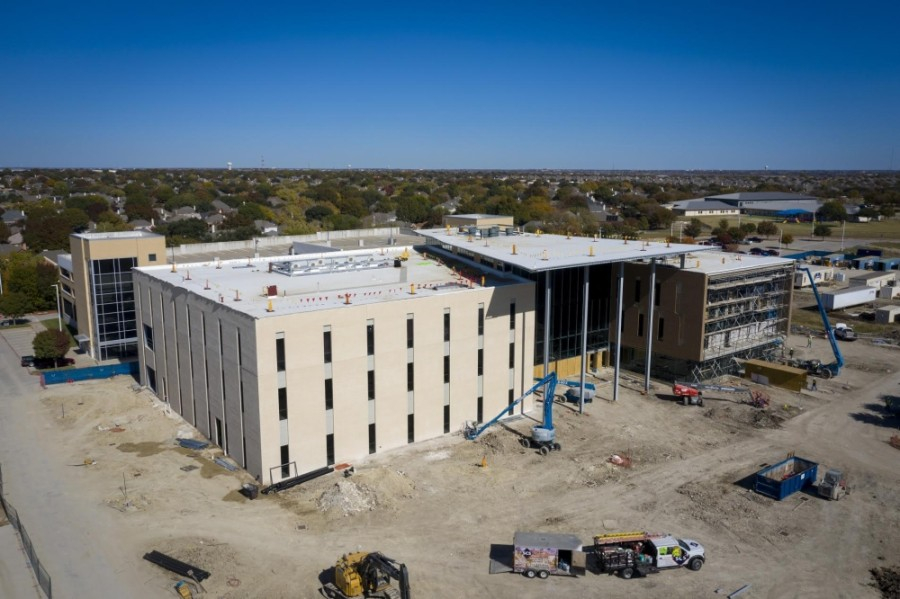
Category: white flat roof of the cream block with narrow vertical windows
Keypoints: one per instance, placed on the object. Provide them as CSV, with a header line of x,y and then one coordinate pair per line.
x,y
320,281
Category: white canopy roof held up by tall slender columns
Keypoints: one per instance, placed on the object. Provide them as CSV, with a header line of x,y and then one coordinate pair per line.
x,y
544,252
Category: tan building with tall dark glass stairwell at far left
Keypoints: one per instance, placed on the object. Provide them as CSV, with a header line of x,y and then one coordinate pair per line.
x,y
96,291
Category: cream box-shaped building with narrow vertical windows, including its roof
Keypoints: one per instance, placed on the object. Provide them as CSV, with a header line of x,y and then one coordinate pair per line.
x,y
297,362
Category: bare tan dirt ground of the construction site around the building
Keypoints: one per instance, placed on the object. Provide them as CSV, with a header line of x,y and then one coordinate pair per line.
x,y
434,507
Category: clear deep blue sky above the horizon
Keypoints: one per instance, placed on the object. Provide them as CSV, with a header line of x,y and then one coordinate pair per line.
x,y
723,84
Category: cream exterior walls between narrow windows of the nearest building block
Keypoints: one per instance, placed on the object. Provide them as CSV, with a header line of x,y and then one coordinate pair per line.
x,y
181,360
